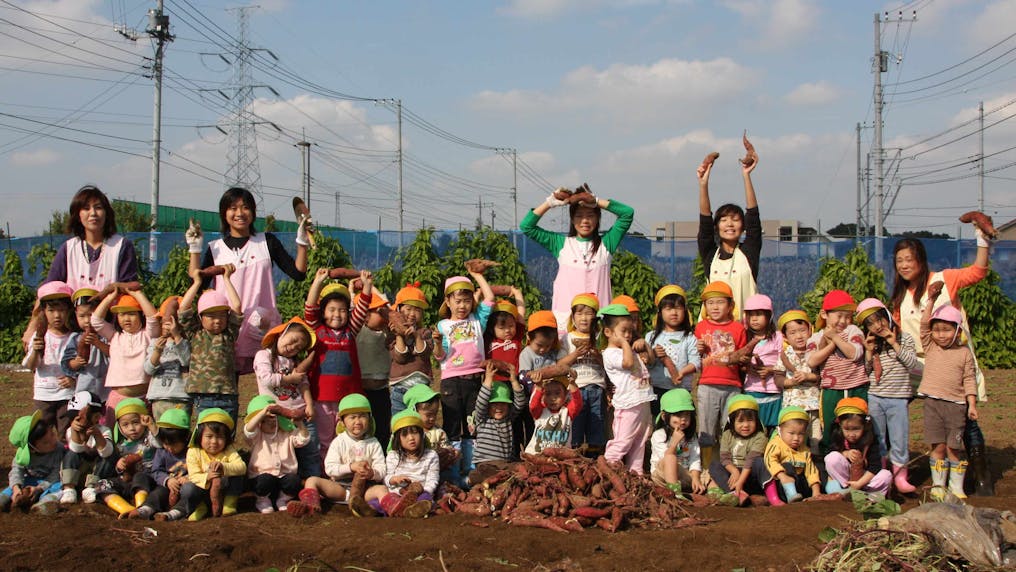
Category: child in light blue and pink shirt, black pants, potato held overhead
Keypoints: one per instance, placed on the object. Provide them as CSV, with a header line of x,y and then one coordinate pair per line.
x,y
462,357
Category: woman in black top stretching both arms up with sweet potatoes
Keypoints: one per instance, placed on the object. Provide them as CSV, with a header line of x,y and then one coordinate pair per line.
x,y
726,259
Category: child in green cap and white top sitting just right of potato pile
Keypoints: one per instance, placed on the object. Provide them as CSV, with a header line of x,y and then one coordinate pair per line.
x,y
676,461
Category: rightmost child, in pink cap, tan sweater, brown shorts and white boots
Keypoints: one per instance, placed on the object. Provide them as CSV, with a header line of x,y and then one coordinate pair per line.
x,y
950,391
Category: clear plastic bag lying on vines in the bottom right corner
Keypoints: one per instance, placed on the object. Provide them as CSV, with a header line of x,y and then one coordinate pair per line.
x,y
974,535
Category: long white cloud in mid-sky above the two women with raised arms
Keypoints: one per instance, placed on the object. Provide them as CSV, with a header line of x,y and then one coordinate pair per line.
x,y
670,88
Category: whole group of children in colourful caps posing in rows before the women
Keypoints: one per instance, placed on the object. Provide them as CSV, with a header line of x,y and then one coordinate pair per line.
x,y
346,410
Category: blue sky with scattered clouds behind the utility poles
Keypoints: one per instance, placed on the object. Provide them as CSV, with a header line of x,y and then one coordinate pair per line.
x,y
625,95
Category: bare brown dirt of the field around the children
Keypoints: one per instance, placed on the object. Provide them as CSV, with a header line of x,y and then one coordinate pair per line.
x,y
752,539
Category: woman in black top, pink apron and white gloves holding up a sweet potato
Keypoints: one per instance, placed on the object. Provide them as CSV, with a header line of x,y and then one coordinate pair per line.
x,y
253,256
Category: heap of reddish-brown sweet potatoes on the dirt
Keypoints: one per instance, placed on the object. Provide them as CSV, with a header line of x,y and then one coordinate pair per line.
x,y
562,491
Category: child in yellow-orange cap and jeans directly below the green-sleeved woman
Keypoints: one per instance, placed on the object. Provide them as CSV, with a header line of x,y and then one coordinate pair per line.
x,y
584,356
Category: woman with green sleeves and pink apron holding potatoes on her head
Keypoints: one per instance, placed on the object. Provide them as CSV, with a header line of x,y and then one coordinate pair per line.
x,y
584,257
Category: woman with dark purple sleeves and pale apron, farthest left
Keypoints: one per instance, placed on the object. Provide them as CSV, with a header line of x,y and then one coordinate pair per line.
x,y
96,256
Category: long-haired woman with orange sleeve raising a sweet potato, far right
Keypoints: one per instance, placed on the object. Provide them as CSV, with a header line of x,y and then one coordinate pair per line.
x,y
910,297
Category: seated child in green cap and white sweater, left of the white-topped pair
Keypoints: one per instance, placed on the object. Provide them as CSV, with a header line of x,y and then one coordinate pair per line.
x,y
355,460
